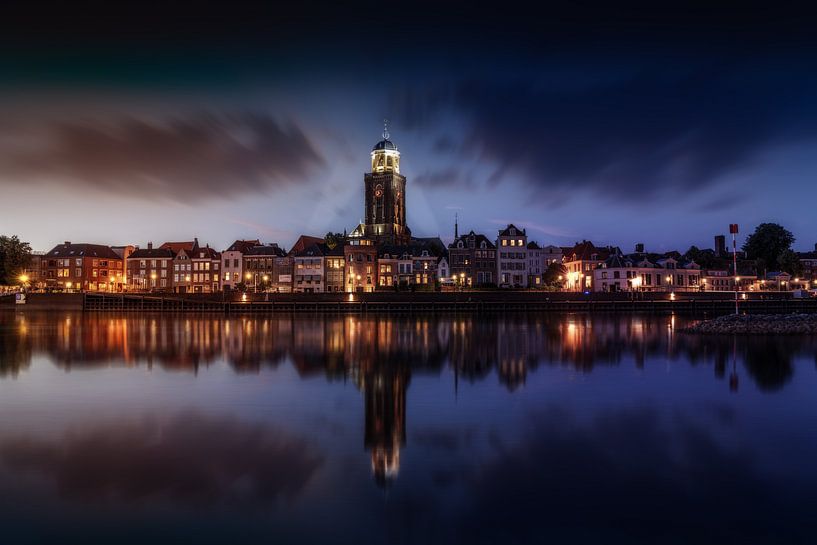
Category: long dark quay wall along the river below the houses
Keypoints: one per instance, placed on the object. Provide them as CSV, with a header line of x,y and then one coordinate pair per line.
x,y
465,301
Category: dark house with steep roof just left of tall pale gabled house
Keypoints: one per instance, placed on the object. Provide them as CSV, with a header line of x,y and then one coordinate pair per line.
x,y
472,258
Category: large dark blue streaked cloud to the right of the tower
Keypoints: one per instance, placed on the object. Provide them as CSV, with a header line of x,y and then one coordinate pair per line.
x,y
637,128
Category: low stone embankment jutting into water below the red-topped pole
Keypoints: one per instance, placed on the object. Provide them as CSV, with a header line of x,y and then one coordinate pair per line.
x,y
758,324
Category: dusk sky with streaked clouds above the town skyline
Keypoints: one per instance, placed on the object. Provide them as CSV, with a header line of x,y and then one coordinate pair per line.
x,y
616,125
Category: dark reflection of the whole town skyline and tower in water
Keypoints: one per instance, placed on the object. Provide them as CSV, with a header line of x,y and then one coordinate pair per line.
x,y
379,353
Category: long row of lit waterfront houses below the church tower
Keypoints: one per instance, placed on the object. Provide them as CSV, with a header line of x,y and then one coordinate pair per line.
x,y
314,265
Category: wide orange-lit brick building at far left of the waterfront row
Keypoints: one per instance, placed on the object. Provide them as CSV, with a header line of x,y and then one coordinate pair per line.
x,y
87,267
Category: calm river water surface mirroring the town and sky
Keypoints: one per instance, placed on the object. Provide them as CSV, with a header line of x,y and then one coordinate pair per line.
x,y
402,429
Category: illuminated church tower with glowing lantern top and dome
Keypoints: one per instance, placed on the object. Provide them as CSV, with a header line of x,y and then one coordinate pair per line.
x,y
384,197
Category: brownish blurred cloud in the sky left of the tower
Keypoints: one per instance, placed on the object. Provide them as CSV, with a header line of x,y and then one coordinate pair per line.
x,y
184,158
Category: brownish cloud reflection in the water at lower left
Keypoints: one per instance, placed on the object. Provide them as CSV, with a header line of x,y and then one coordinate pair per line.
x,y
191,460
